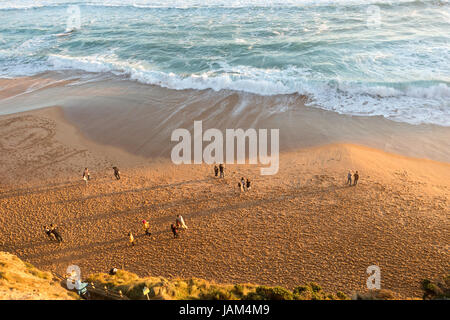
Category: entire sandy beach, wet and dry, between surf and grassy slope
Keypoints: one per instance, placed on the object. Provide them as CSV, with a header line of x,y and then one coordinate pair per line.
x,y
303,224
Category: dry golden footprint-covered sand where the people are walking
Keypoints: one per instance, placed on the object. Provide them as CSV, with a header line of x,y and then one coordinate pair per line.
x,y
303,224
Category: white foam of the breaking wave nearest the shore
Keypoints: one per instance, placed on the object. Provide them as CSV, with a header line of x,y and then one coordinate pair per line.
x,y
414,103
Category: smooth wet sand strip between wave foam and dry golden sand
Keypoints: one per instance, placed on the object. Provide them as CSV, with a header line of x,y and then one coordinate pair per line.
x,y
139,119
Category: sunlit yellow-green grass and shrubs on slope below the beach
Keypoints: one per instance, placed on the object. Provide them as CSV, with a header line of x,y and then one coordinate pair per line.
x,y
20,280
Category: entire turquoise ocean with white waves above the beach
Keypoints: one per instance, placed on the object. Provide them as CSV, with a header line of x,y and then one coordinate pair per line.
x,y
388,58
